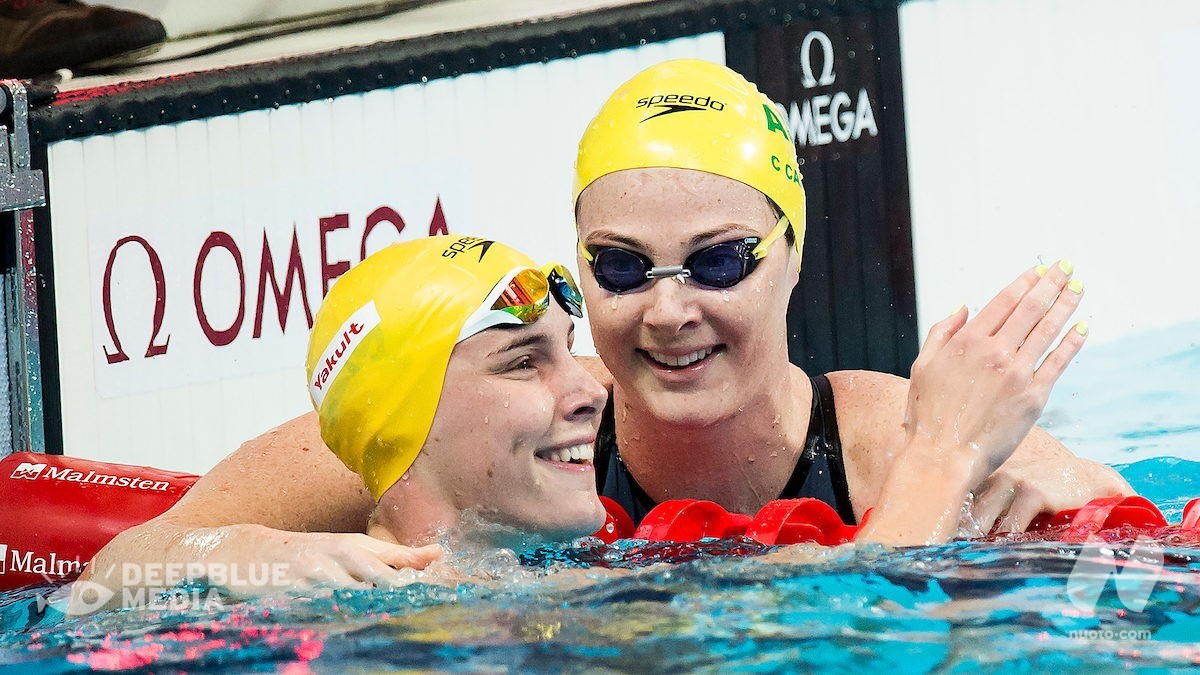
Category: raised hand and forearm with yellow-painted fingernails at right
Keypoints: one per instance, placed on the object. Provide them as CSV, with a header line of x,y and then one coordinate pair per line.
x,y
977,390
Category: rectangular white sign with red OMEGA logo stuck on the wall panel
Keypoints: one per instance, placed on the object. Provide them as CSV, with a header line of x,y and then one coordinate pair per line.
x,y
184,294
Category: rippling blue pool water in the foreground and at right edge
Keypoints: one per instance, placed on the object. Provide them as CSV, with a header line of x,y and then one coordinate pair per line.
x,y
736,606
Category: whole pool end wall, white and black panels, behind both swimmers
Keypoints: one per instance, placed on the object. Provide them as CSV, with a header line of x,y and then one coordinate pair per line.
x,y
199,217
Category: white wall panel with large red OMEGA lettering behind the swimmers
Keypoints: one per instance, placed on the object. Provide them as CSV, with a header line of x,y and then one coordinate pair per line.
x,y
190,259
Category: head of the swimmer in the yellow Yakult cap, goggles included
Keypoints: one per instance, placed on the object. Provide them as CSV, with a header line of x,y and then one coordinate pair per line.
x,y
442,374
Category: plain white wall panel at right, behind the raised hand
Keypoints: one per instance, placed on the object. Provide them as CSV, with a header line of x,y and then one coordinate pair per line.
x,y
1055,129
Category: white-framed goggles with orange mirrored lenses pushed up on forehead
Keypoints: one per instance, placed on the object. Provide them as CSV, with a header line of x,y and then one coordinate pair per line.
x,y
523,297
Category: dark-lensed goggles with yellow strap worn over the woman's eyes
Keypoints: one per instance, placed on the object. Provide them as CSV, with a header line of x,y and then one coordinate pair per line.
x,y
719,266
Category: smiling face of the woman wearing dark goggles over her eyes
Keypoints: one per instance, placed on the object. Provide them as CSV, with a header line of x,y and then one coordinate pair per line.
x,y
686,353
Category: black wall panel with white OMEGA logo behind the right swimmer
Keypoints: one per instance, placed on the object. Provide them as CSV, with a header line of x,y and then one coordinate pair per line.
x,y
838,82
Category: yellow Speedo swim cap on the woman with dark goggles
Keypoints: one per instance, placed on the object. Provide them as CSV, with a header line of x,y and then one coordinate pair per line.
x,y
695,116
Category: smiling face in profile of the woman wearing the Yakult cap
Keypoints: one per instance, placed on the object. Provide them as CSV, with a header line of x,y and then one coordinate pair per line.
x,y
514,433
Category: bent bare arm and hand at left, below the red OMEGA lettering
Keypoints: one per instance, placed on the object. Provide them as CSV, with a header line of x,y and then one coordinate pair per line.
x,y
280,499
